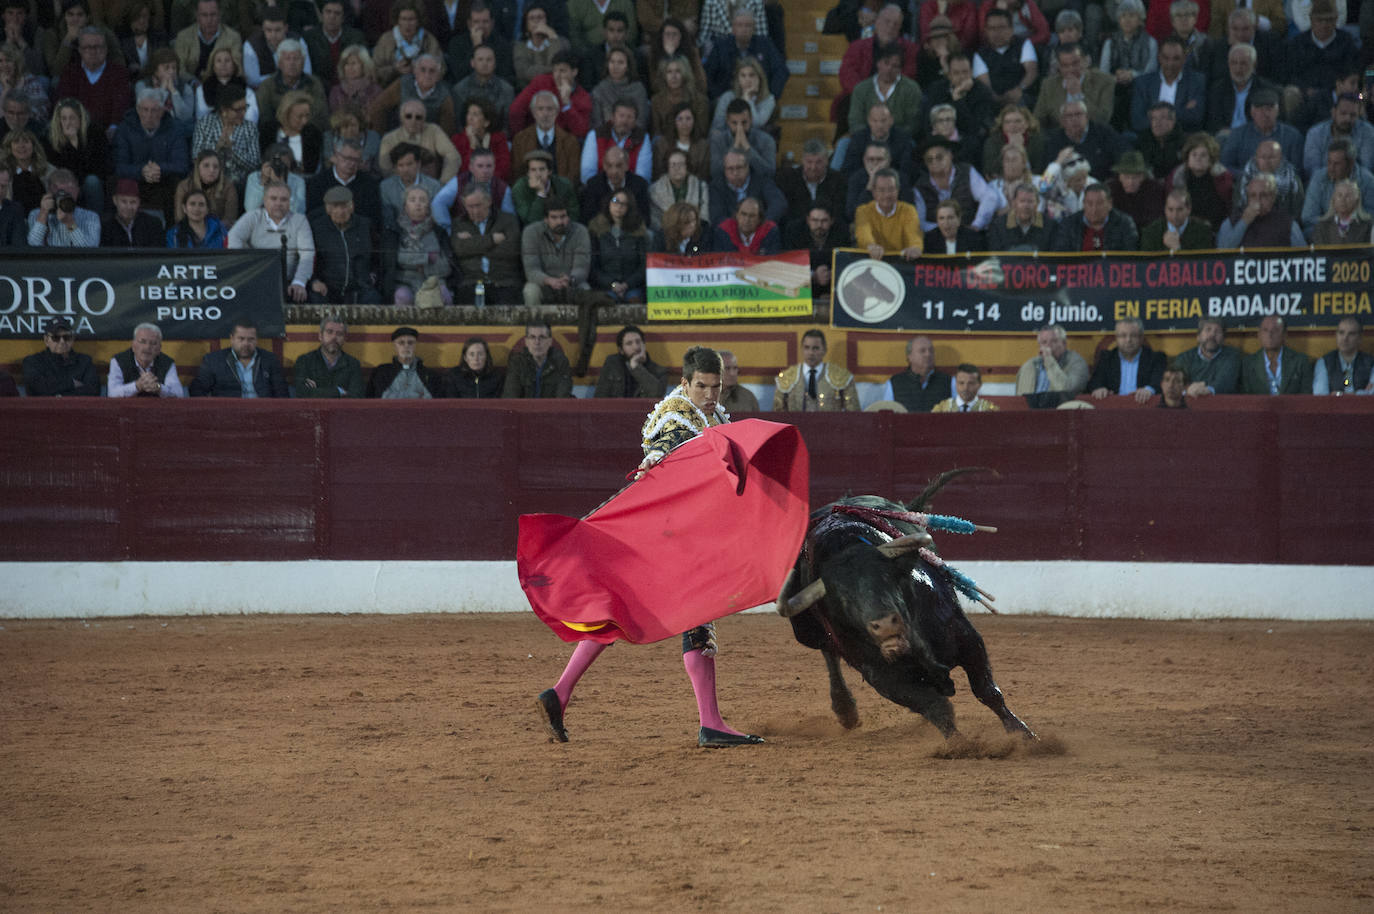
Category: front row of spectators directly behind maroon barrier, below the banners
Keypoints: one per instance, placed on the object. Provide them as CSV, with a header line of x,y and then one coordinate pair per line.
x,y
538,369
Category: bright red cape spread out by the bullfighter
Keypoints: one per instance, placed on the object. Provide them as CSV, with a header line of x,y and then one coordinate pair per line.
x,y
710,531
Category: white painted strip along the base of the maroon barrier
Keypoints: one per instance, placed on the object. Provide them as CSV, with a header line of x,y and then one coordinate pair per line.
x,y
1105,590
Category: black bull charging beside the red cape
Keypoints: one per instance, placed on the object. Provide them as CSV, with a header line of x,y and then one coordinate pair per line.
x,y
894,618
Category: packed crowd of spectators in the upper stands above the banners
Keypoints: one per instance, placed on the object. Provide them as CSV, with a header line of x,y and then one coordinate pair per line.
x,y
961,126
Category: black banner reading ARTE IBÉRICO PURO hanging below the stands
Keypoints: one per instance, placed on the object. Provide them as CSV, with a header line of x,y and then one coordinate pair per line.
x,y
190,295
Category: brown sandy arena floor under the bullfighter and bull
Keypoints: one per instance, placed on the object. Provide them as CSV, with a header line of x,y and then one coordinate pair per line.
x,y
396,763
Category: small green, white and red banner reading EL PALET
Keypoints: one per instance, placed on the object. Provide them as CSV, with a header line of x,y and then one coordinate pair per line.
x,y
719,287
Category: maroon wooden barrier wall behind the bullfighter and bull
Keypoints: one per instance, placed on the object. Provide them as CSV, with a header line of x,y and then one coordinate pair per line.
x,y
1244,480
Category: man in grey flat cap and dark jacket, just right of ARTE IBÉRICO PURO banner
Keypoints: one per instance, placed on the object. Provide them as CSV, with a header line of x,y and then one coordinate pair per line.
x,y
346,265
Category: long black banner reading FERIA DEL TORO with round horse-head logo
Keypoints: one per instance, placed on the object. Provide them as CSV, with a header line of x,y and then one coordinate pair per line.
x,y
1019,293
